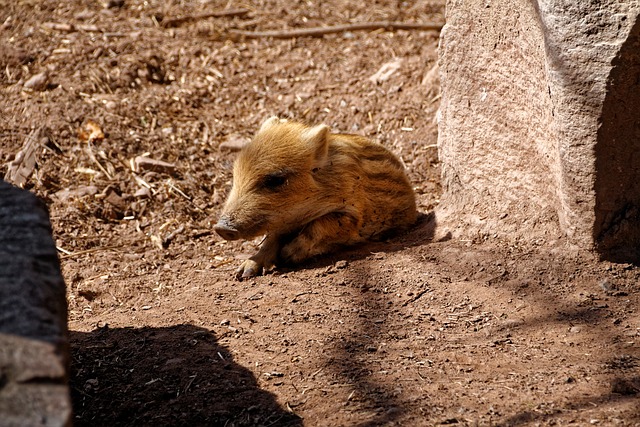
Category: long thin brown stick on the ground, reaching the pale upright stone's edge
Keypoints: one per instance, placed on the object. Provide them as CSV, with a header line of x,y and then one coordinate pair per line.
x,y
320,31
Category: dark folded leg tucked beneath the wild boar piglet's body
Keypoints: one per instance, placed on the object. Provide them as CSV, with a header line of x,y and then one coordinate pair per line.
x,y
321,236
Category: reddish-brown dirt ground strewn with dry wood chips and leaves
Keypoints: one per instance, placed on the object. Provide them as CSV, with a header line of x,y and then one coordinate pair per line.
x,y
409,332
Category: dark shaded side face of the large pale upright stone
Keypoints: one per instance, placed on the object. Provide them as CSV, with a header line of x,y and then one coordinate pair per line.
x,y
617,185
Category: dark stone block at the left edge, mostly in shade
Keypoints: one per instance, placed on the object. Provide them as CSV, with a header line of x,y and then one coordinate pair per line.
x,y
33,331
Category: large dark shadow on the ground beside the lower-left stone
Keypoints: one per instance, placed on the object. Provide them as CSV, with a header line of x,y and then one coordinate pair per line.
x,y
172,376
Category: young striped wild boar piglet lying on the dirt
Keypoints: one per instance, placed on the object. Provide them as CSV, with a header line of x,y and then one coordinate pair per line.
x,y
311,191
